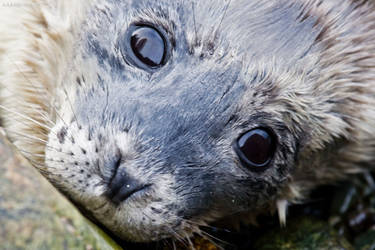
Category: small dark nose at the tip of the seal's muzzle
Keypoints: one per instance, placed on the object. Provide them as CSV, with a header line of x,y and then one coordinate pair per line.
x,y
122,186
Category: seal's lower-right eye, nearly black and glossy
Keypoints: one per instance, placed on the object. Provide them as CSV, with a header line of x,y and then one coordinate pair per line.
x,y
255,148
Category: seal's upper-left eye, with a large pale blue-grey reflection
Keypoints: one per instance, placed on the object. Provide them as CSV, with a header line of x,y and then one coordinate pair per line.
x,y
148,46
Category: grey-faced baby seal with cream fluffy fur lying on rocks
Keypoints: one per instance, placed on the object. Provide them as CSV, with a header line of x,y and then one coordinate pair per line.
x,y
159,117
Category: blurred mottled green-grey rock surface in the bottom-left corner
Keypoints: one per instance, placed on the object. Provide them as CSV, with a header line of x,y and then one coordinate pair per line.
x,y
33,215
